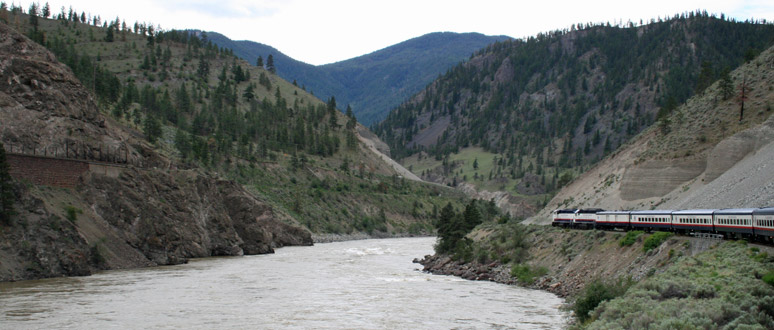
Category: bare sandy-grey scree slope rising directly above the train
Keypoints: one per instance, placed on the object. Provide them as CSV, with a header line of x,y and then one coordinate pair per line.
x,y
704,156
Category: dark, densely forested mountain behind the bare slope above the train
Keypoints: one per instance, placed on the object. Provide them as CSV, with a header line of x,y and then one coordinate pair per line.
x,y
527,116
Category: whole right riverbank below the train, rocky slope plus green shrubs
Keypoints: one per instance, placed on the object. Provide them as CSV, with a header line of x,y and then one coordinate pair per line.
x,y
619,280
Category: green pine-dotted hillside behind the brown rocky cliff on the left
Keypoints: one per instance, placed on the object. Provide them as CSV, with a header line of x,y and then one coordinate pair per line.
x,y
200,107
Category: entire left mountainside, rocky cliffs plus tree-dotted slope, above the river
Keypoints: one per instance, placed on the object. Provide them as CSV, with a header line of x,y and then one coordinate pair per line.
x,y
131,147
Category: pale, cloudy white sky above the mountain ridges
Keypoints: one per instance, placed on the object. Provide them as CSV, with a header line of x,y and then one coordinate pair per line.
x,y
320,32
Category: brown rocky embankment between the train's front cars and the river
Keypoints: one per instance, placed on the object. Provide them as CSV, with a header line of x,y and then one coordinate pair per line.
x,y
562,261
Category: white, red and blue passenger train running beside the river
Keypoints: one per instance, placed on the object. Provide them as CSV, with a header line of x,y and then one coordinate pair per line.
x,y
741,223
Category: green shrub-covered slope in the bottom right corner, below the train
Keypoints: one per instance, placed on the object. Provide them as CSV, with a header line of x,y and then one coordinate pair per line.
x,y
721,288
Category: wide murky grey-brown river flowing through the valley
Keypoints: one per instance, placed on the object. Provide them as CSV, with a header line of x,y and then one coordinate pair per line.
x,y
368,284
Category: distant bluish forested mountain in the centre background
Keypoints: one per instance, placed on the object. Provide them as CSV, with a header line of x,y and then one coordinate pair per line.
x,y
374,83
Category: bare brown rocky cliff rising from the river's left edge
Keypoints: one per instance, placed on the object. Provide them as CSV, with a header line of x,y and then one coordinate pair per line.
x,y
151,214
